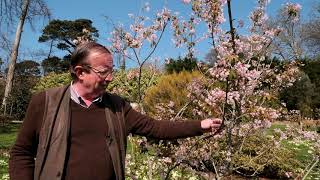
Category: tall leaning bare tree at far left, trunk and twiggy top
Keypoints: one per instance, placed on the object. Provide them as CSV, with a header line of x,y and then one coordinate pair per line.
x,y
27,10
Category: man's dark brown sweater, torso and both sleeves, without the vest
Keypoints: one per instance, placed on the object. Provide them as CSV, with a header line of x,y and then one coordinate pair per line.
x,y
86,148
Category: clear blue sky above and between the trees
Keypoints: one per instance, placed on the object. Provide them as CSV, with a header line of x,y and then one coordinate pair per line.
x,y
118,10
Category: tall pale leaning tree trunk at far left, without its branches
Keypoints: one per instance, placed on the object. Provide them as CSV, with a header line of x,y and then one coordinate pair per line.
x,y
14,53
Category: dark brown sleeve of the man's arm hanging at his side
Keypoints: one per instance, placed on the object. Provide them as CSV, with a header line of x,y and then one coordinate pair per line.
x,y
23,152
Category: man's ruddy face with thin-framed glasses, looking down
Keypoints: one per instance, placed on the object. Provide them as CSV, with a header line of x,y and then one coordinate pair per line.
x,y
98,73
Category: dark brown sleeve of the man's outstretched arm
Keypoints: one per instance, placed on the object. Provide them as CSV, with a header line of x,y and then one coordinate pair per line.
x,y
140,124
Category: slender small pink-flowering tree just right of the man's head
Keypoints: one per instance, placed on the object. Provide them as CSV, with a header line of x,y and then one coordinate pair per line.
x,y
143,33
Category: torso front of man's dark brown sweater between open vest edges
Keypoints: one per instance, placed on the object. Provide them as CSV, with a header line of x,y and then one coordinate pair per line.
x,y
87,155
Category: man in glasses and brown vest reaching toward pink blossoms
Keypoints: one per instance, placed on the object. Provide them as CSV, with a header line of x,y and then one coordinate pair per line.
x,y
80,131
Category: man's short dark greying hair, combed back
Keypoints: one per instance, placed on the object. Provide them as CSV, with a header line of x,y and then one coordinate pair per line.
x,y
80,54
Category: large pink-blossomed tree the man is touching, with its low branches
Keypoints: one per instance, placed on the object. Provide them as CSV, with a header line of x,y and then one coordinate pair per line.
x,y
241,88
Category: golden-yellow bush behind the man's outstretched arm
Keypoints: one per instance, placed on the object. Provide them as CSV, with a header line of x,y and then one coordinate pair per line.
x,y
170,90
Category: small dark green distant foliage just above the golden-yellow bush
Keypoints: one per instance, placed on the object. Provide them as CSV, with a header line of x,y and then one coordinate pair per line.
x,y
181,64
